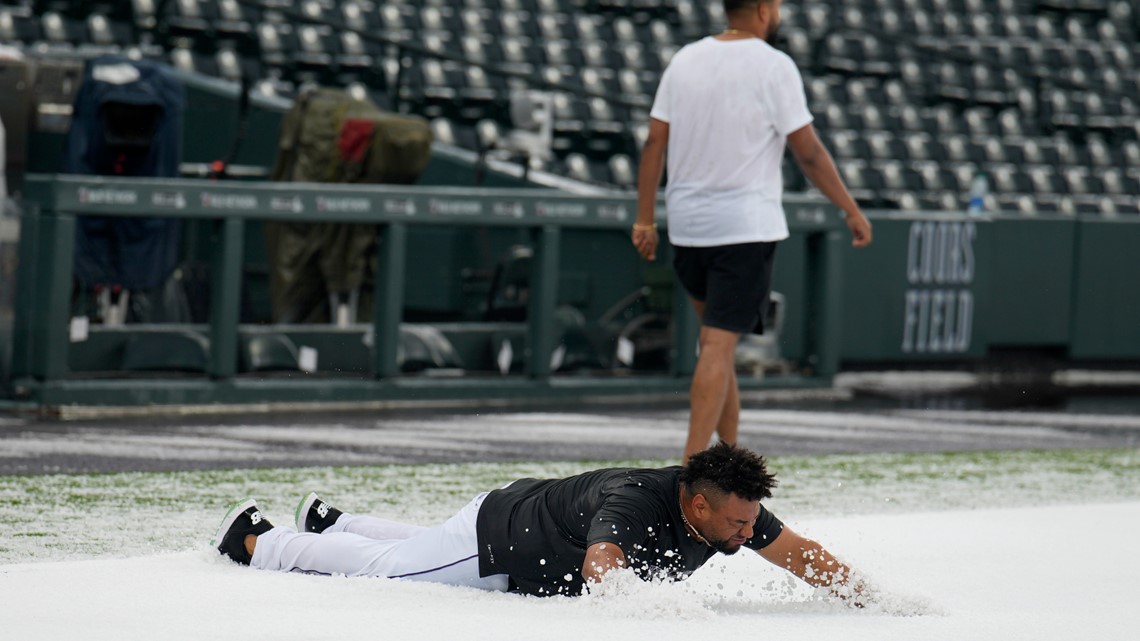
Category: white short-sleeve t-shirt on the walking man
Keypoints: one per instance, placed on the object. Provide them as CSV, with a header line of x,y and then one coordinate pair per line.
x,y
730,107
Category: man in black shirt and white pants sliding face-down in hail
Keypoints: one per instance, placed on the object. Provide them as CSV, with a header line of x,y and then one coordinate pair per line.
x,y
547,538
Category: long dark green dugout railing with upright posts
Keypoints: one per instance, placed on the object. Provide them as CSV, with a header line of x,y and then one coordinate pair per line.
x,y
44,337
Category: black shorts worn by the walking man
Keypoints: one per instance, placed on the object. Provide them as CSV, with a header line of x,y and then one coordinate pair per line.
x,y
732,281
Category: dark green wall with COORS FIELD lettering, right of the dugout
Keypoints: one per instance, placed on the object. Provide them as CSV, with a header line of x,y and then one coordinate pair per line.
x,y
941,289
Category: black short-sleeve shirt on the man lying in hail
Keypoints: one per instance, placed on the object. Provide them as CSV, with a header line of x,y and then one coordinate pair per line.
x,y
538,532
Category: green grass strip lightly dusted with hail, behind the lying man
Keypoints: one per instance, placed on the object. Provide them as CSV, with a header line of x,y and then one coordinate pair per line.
x,y
124,515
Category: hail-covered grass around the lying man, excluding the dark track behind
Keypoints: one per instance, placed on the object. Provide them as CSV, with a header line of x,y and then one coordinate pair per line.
x,y
979,546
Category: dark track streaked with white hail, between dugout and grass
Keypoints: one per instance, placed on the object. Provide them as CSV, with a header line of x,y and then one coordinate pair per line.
x,y
773,425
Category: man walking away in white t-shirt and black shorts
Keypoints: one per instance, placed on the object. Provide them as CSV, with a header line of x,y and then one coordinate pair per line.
x,y
726,109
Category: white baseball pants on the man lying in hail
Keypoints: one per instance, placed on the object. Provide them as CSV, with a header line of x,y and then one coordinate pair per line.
x,y
373,547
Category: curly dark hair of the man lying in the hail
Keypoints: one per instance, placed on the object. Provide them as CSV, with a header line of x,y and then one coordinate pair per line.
x,y
727,469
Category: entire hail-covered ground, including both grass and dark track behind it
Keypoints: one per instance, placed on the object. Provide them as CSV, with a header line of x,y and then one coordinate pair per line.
x,y
971,524
